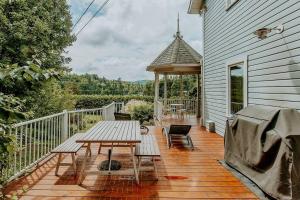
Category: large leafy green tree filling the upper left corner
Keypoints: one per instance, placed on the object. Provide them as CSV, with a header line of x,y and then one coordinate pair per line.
x,y
33,34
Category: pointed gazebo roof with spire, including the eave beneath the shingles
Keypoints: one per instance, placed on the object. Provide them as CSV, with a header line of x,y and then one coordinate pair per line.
x,y
178,58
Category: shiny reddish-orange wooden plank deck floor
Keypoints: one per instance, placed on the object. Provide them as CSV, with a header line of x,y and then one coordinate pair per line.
x,y
183,174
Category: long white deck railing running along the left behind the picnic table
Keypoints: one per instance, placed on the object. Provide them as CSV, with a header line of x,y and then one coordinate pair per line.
x,y
36,138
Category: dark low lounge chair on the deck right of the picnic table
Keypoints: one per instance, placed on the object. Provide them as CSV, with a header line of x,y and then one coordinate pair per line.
x,y
178,131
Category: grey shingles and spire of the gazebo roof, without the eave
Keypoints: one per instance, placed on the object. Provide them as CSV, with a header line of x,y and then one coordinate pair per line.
x,y
178,52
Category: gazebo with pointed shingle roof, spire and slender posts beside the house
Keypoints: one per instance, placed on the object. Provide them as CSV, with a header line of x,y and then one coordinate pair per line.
x,y
179,58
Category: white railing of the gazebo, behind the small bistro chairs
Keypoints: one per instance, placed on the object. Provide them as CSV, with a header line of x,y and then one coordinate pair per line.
x,y
189,104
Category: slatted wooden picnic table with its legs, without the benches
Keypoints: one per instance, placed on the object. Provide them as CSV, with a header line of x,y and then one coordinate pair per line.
x,y
115,133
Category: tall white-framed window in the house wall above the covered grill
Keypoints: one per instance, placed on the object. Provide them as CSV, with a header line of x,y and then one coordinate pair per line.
x,y
237,93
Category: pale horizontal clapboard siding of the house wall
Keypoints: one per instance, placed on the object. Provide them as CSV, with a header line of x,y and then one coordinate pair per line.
x,y
273,63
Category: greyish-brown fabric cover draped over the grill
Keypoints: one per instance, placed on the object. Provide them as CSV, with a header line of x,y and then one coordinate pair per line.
x,y
264,145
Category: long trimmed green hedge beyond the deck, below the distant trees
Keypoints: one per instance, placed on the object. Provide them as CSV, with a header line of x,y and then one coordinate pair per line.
x,y
98,101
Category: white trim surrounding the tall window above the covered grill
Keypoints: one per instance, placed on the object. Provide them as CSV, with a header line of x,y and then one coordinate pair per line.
x,y
230,63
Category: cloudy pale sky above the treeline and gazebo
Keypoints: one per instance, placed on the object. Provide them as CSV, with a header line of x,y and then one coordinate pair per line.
x,y
127,35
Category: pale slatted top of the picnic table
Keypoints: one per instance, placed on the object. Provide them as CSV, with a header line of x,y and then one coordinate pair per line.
x,y
113,132
